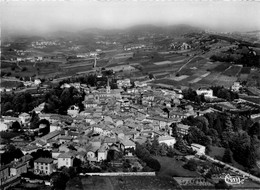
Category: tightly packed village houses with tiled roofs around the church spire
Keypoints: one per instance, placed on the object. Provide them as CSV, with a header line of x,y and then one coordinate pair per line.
x,y
113,120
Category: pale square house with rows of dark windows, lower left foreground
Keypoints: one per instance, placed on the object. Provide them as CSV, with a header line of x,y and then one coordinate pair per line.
x,y
43,166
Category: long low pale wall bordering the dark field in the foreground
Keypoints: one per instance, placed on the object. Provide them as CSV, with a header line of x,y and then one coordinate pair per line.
x,y
120,174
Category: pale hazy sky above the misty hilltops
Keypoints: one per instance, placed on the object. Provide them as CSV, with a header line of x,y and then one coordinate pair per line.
x,y
46,16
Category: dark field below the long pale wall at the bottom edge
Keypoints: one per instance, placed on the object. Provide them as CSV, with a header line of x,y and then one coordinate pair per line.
x,y
121,183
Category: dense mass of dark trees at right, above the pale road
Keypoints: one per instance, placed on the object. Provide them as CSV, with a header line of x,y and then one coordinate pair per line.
x,y
240,135
